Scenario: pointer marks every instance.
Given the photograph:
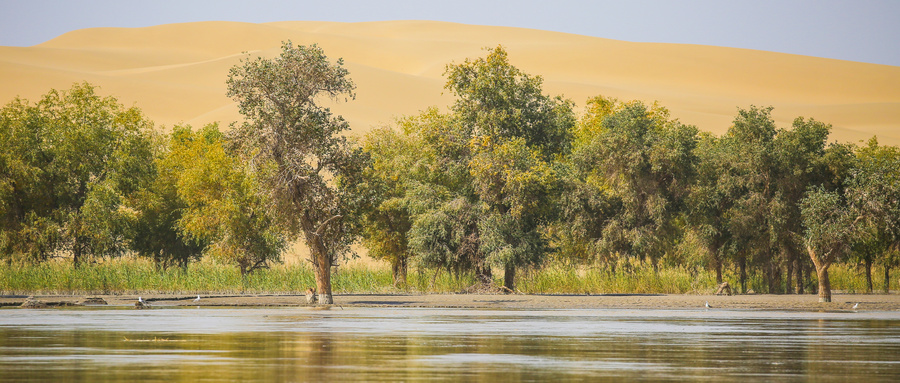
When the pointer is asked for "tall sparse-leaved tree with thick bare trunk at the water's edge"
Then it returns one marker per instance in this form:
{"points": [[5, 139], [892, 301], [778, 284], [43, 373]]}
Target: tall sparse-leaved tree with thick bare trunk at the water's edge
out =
{"points": [[286, 129]]}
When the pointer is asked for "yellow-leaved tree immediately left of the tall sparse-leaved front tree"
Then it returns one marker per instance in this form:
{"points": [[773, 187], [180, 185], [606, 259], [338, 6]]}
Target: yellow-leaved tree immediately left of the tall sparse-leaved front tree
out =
{"points": [[224, 204]]}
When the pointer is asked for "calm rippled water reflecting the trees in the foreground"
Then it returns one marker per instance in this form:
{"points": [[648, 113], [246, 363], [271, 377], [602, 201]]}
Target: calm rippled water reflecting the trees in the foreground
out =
{"points": [[96, 345]]}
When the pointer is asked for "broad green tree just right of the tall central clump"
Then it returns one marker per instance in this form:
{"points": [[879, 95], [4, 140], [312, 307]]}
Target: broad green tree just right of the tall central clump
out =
{"points": [[646, 161]]}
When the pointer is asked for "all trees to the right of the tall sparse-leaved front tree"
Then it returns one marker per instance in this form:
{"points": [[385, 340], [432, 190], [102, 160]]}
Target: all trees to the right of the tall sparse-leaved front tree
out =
{"points": [[509, 177]]}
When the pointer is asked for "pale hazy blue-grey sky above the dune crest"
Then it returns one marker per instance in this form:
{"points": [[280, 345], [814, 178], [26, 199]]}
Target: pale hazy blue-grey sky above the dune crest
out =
{"points": [[858, 30]]}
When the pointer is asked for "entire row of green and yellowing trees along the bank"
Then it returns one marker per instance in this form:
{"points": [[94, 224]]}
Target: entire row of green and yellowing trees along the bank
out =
{"points": [[507, 178]]}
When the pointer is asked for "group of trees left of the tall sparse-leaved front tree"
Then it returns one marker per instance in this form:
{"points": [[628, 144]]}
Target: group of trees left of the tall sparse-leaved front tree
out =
{"points": [[84, 177]]}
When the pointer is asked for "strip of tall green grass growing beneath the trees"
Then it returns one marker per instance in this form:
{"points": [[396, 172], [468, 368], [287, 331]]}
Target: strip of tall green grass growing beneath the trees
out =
{"points": [[136, 276]]}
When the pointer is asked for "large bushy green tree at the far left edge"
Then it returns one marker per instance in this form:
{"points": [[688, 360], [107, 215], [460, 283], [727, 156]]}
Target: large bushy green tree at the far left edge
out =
{"points": [[74, 160]]}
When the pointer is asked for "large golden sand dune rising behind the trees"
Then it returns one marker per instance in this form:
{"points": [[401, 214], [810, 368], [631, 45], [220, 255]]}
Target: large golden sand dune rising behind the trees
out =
{"points": [[176, 73]]}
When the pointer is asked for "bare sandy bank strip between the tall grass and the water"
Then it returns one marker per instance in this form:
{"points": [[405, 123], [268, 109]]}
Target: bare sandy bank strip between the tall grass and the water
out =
{"points": [[806, 302]]}
